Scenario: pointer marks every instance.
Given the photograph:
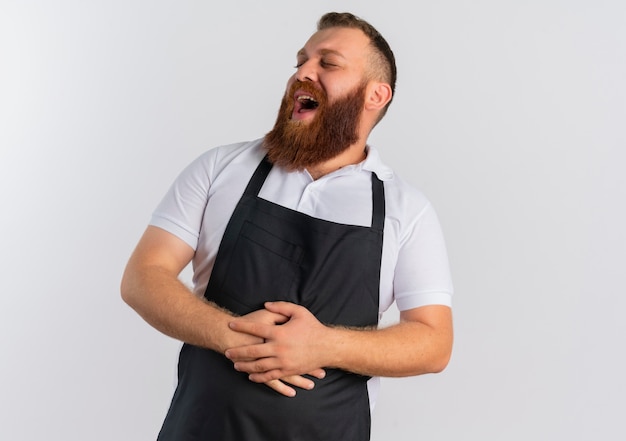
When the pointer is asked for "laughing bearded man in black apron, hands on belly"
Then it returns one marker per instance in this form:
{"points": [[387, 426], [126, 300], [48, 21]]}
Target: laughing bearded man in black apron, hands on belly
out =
{"points": [[291, 271]]}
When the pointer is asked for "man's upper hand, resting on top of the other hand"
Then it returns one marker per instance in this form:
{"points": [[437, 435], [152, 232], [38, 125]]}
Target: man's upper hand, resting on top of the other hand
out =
{"points": [[295, 347]]}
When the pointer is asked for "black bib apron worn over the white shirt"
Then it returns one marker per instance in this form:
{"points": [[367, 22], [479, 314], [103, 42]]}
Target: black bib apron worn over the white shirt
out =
{"points": [[272, 253]]}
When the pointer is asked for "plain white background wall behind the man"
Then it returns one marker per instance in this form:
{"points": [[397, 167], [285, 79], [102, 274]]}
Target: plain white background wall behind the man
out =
{"points": [[509, 115]]}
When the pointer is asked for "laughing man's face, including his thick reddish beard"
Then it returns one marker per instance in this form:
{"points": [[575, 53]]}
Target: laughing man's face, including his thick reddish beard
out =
{"points": [[321, 111]]}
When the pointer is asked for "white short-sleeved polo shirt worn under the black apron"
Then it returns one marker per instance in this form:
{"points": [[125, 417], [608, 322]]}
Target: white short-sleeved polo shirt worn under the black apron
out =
{"points": [[414, 269]]}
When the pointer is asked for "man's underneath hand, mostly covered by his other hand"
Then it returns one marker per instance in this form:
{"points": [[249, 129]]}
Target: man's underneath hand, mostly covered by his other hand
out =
{"points": [[266, 317]]}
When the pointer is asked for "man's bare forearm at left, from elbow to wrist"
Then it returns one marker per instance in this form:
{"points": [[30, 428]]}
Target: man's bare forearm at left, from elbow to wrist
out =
{"points": [[170, 307]]}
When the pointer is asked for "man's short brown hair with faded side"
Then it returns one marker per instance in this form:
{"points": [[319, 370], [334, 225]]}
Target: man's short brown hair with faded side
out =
{"points": [[384, 60]]}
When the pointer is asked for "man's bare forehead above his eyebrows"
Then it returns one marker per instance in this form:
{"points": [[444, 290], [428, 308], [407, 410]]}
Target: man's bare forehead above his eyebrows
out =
{"points": [[349, 43]]}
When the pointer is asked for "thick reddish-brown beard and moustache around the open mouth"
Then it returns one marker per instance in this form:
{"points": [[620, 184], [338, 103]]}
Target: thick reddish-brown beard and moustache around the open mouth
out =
{"points": [[296, 145]]}
